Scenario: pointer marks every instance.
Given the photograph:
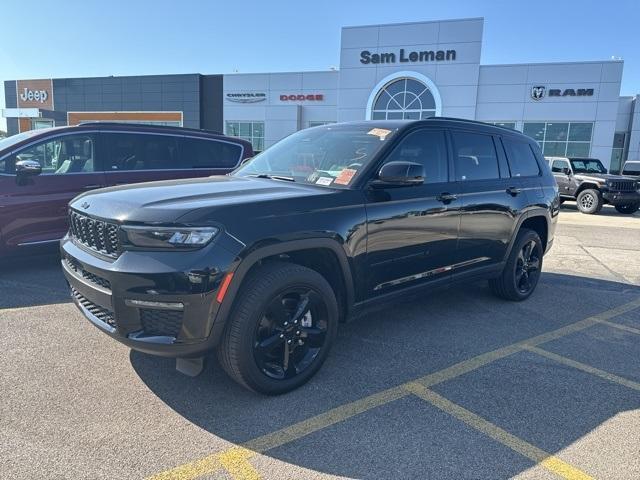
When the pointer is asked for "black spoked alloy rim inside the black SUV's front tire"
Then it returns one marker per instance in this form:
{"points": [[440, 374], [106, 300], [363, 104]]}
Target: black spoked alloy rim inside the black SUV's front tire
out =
{"points": [[291, 333]]}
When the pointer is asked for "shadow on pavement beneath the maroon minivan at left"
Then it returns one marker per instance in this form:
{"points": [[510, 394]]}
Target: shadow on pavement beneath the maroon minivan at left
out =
{"points": [[32, 280]]}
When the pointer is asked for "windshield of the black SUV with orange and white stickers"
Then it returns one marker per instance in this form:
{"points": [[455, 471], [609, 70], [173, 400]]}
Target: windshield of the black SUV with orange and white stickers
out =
{"points": [[327, 156]]}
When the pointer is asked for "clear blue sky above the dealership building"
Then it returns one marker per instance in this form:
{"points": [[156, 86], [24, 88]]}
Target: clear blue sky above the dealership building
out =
{"points": [[71, 38]]}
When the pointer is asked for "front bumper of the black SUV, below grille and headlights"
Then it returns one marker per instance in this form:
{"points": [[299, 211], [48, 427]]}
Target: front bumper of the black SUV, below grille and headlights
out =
{"points": [[162, 303]]}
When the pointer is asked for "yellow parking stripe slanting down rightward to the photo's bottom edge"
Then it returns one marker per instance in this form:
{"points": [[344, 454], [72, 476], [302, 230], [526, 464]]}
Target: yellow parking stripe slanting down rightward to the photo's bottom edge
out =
{"points": [[507, 439]]}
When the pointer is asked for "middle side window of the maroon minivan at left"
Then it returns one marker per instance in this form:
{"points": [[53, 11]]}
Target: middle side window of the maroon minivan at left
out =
{"points": [[133, 151]]}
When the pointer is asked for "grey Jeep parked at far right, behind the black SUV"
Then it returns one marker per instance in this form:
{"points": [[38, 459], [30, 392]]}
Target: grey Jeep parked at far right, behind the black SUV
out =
{"points": [[586, 181]]}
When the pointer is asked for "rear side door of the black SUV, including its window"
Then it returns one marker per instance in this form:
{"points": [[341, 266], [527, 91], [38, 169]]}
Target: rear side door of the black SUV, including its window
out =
{"points": [[491, 201]]}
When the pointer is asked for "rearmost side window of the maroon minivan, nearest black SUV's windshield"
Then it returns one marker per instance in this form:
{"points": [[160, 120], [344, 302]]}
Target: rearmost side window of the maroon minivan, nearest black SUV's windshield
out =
{"points": [[200, 153]]}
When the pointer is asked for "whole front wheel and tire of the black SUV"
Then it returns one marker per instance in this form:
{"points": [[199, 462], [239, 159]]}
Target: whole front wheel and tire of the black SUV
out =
{"points": [[281, 328]]}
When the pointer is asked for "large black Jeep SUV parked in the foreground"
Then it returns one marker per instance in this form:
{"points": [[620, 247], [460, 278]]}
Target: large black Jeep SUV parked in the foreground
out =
{"points": [[261, 265]]}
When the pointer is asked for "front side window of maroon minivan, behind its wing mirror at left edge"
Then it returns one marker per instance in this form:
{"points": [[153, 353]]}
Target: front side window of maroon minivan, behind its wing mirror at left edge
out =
{"points": [[61, 155]]}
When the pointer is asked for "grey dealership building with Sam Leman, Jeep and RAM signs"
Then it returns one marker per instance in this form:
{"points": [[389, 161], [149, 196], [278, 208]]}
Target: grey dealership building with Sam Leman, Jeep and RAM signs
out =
{"points": [[398, 71]]}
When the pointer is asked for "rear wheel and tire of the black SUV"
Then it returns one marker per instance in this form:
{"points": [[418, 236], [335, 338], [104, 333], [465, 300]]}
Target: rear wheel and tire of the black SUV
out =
{"points": [[522, 270]]}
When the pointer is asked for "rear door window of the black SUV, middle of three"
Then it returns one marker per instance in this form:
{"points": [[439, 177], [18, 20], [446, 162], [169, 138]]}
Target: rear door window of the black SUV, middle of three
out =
{"points": [[475, 156]]}
